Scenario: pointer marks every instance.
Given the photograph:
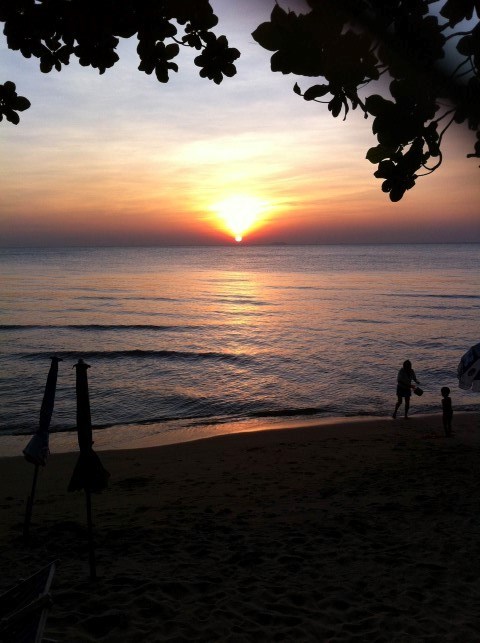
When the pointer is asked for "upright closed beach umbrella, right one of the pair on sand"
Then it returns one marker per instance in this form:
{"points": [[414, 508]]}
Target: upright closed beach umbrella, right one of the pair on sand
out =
{"points": [[89, 473]]}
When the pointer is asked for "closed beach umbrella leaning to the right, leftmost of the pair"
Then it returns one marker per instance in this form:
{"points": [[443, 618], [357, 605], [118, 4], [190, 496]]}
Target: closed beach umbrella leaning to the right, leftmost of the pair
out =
{"points": [[37, 450]]}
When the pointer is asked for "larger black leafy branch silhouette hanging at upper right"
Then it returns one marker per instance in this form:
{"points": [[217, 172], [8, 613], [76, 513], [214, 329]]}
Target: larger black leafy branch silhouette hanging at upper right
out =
{"points": [[399, 45]]}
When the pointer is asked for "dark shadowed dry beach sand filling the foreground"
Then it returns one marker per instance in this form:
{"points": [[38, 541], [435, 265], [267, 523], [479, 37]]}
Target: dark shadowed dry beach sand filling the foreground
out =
{"points": [[362, 531]]}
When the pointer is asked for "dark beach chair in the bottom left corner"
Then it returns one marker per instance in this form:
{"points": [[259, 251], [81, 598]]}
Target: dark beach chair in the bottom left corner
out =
{"points": [[24, 608]]}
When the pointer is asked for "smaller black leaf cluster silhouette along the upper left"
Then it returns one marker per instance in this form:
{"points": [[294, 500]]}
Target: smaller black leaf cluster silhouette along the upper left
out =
{"points": [[55, 30]]}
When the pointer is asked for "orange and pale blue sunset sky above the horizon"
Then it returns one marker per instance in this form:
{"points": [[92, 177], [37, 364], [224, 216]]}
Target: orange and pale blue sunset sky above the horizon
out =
{"points": [[121, 159]]}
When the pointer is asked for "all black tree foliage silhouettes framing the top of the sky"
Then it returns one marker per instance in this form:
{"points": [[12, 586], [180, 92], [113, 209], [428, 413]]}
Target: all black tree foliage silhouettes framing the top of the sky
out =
{"points": [[398, 46]]}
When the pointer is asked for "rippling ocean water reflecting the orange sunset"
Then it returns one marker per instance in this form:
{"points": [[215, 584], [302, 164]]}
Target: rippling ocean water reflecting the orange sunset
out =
{"points": [[186, 336]]}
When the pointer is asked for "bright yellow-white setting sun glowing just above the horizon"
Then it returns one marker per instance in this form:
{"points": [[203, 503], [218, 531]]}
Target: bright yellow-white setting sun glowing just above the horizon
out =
{"points": [[239, 214]]}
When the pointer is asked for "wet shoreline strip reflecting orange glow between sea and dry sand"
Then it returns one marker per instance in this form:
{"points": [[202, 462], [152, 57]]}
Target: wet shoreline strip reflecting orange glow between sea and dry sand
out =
{"points": [[125, 437]]}
